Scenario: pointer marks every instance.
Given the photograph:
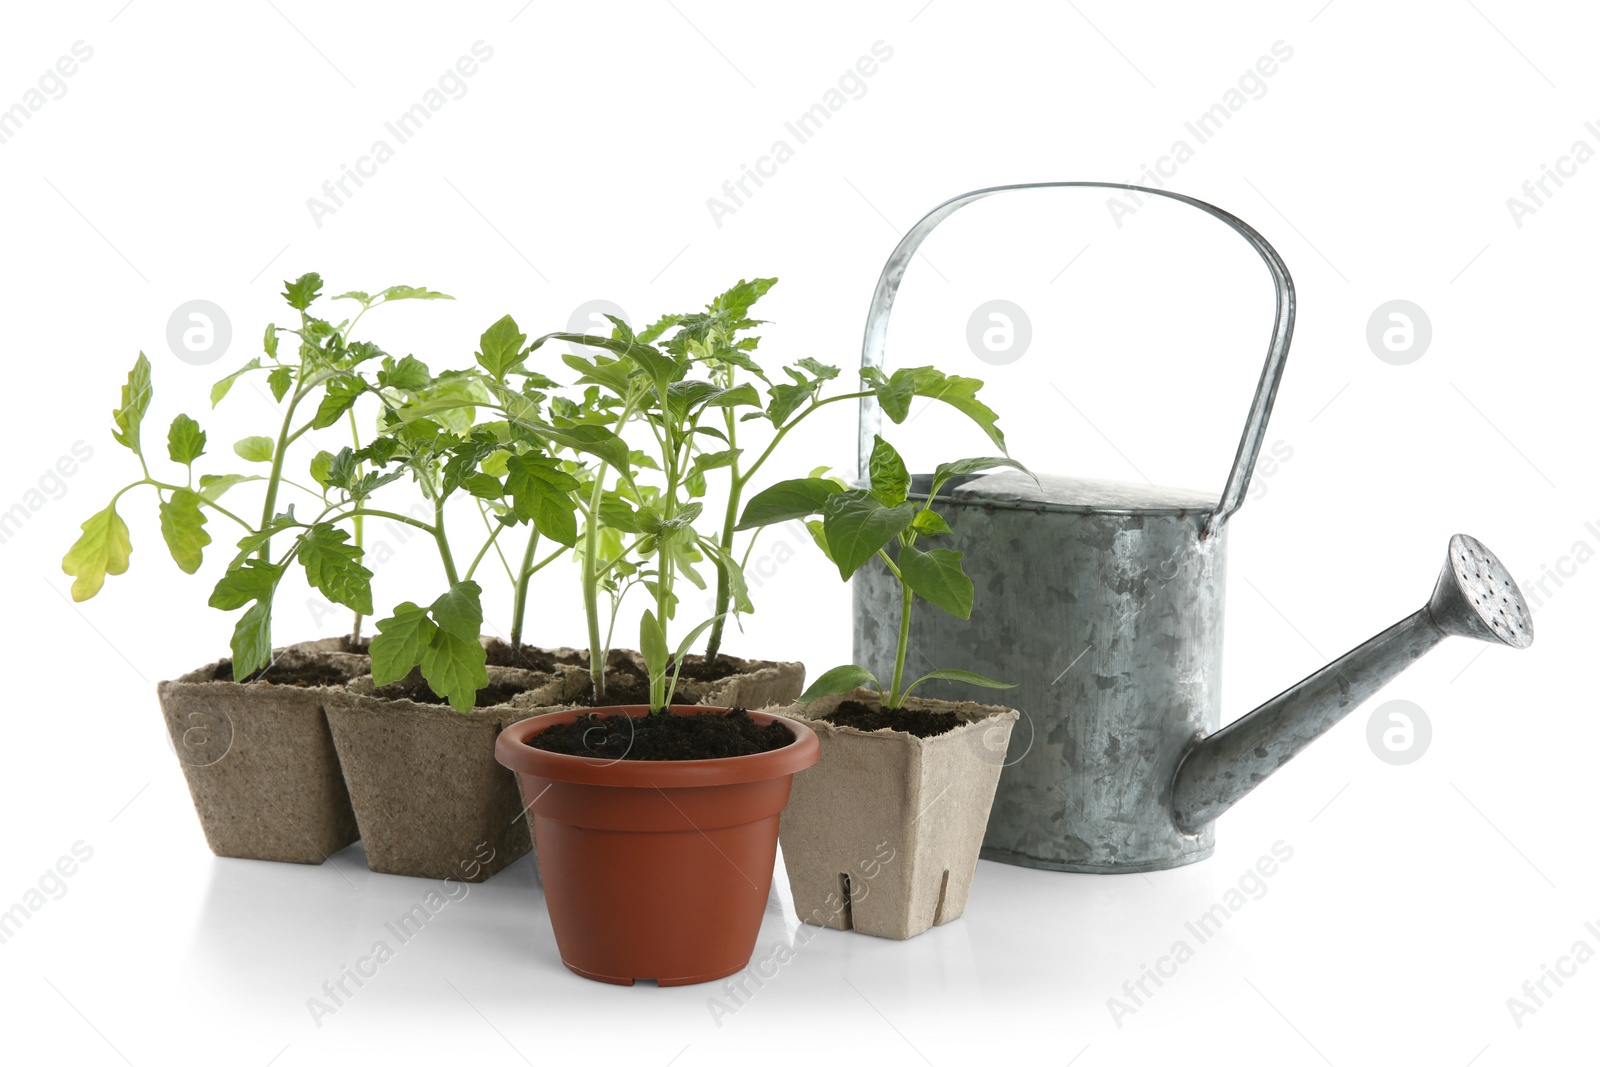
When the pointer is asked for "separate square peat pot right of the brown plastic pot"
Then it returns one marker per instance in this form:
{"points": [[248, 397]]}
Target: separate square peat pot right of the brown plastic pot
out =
{"points": [[882, 836]]}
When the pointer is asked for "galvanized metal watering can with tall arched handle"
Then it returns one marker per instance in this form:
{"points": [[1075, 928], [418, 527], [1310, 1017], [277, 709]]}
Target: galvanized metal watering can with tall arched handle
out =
{"points": [[1119, 764]]}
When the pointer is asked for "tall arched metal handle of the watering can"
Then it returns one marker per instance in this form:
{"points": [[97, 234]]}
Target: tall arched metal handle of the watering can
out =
{"points": [[1266, 390]]}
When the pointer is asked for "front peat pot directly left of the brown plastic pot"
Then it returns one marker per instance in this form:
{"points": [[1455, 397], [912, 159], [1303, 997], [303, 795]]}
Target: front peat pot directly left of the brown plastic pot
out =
{"points": [[428, 794]]}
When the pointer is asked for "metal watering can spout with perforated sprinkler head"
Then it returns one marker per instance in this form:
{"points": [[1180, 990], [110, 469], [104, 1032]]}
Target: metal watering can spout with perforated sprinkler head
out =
{"points": [[1476, 597]]}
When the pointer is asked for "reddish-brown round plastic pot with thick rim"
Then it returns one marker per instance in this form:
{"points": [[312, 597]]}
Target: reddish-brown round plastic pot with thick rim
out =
{"points": [[655, 869]]}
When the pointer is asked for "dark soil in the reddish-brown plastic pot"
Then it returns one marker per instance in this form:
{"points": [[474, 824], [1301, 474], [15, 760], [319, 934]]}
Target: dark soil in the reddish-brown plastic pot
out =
{"points": [[706, 737]]}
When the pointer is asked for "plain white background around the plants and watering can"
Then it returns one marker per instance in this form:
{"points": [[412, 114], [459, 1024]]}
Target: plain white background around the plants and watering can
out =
{"points": [[578, 166]]}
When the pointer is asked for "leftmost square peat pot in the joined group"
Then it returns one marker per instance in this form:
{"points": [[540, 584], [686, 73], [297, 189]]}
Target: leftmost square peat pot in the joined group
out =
{"points": [[258, 756]]}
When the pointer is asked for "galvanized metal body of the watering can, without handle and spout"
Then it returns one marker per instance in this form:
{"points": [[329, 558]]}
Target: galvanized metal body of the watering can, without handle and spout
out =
{"points": [[1103, 602]]}
